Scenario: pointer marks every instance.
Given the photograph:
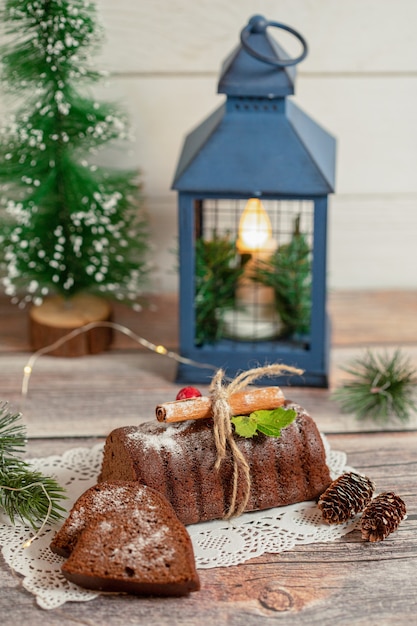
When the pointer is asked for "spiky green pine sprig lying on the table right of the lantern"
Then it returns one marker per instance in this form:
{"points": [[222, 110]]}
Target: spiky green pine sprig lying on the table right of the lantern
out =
{"points": [[380, 386]]}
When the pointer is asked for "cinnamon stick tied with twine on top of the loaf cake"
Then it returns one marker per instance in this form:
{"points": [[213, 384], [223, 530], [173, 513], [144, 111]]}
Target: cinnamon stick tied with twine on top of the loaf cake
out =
{"points": [[241, 403]]}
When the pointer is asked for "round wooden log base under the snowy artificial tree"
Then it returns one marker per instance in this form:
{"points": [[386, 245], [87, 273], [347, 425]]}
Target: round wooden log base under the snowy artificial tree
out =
{"points": [[56, 317]]}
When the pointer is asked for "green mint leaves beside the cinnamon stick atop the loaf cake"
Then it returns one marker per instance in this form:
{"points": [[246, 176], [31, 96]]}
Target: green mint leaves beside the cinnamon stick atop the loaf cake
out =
{"points": [[269, 423]]}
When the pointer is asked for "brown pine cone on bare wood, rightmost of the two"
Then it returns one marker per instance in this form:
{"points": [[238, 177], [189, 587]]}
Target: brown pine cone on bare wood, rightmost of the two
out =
{"points": [[382, 516]]}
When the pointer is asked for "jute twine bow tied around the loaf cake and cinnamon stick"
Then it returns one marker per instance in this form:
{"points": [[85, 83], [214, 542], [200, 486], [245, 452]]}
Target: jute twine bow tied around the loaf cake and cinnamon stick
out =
{"points": [[223, 430]]}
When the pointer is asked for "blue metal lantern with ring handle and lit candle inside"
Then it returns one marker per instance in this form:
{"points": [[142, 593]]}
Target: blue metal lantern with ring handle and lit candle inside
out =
{"points": [[253, 182]]}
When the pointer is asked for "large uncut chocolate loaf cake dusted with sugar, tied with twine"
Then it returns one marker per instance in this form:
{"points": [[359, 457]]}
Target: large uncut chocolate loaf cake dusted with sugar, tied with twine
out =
{"points": [[178, 460]]}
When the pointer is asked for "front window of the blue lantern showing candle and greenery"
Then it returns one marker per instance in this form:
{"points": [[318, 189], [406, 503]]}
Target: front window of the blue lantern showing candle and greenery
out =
{"points": [[253, 286]]}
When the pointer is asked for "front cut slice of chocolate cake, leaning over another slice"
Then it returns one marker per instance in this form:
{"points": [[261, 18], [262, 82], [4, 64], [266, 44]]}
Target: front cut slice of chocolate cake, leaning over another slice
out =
{"points": [[144, 551]]}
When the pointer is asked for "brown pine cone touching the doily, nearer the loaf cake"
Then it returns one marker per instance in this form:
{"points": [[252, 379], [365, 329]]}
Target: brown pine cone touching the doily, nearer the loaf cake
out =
{"points": [[345, 497]]}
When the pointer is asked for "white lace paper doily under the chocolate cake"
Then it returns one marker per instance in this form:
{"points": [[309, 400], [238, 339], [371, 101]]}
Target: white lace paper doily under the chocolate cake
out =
{"points": [[216, 544]]}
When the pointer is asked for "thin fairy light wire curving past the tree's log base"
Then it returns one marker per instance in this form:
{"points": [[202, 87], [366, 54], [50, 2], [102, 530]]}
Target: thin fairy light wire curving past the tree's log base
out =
{"points": [[149, 345]]}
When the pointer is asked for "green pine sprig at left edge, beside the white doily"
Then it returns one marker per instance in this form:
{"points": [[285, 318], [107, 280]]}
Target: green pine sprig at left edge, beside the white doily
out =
{"points": [[25, 493]]}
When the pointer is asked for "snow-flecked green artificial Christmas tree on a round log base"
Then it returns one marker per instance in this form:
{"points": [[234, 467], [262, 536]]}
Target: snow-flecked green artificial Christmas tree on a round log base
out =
{"points": [[70, 228]]}
